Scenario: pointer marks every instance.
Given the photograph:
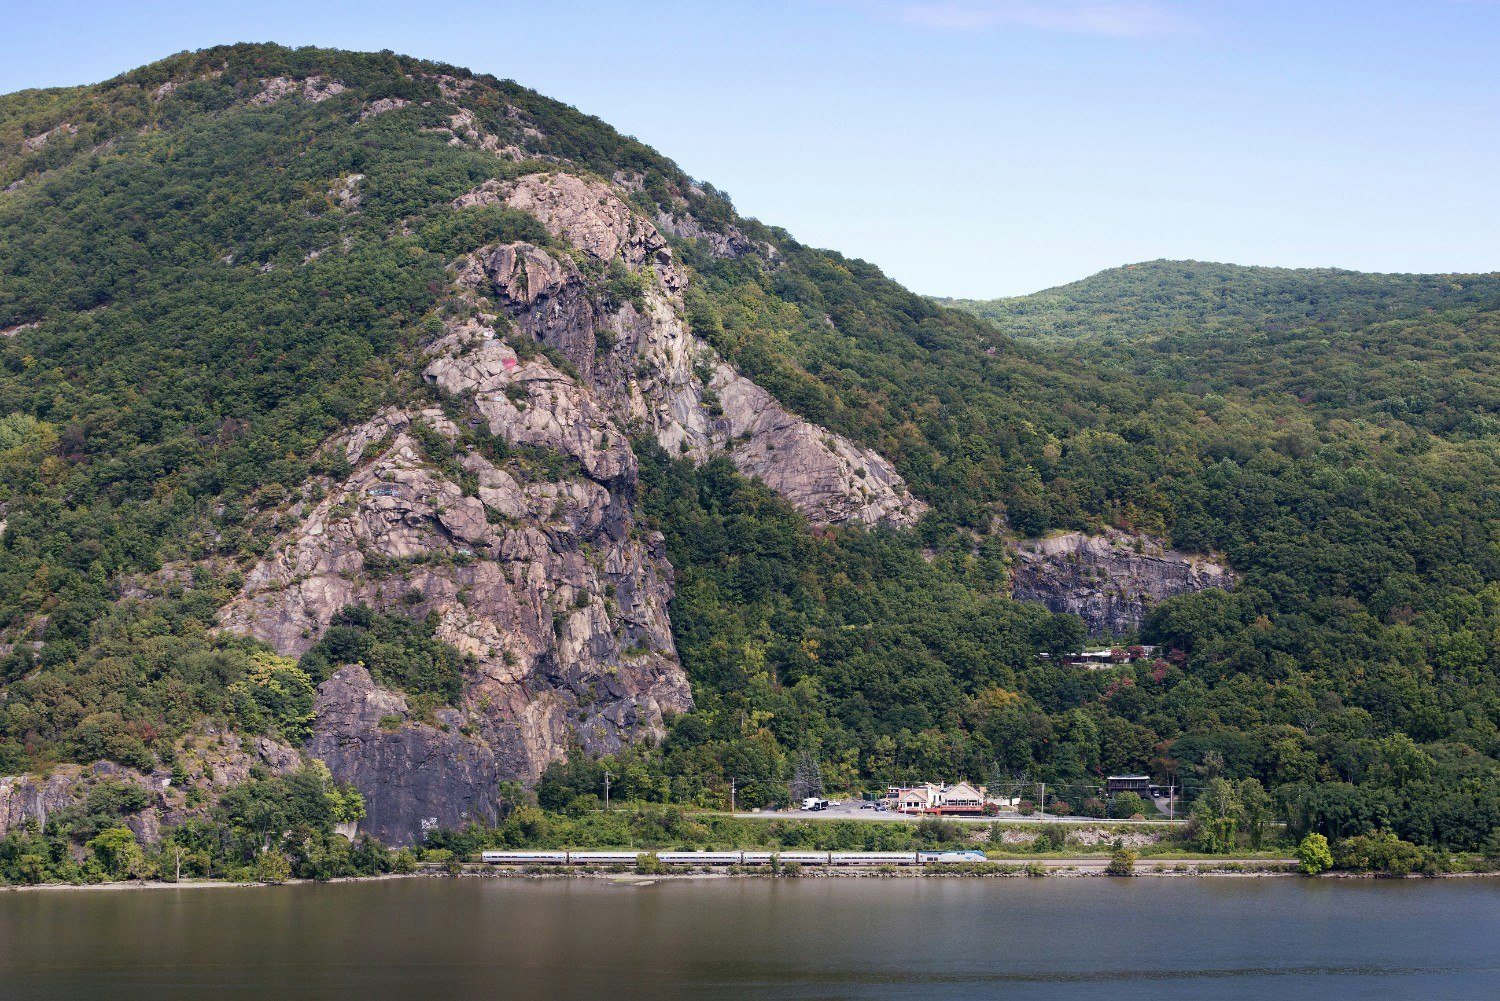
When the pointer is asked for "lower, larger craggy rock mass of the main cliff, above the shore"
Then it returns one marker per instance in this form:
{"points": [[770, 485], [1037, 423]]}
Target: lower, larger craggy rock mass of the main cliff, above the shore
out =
{"points": [[544, 583]]}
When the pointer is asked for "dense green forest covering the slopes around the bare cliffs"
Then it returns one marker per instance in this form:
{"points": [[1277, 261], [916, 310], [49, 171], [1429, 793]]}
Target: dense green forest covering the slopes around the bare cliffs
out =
{"points": [[179, 341]]}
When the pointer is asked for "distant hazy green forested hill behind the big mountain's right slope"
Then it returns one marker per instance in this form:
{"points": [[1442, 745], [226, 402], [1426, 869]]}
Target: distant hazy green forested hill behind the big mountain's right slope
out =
{"points": [[1420, 349]]}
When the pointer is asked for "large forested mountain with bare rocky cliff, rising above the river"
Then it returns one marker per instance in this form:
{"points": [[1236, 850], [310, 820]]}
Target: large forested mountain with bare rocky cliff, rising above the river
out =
{"points": [[367, 412]]}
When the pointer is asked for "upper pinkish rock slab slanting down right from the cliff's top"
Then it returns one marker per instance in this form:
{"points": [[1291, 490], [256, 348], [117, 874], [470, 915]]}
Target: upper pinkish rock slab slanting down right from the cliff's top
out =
{"points": [[656, 373]]}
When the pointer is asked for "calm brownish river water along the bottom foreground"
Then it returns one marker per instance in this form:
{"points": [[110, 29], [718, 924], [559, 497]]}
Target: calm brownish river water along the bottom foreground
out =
{"points": [[1154, 939]]}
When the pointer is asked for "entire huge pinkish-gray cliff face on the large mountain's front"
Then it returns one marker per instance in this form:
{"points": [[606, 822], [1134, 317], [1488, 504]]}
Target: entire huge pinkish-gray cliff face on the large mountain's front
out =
{"points": [[508, 514]]}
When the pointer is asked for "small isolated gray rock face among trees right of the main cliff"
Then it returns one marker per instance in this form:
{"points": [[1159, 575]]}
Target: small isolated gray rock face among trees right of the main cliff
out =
{"points": [[1109, 582]]}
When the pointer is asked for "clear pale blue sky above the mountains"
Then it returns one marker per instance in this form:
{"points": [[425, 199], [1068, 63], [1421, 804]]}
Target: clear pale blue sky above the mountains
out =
{"points": [[970, 148]]}
